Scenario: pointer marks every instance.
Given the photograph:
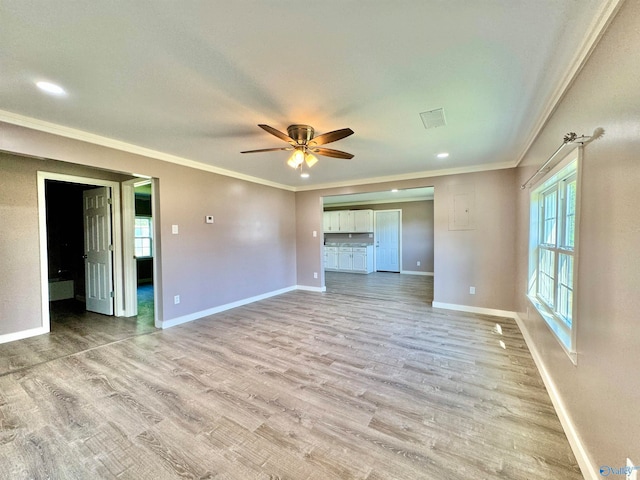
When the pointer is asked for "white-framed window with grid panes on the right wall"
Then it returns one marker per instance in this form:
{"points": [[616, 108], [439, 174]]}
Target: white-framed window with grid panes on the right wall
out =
{"points": [[552, 251]]}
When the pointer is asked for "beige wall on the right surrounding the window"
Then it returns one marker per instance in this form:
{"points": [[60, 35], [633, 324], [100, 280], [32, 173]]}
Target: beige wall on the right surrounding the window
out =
{"points": [[601, 394]]}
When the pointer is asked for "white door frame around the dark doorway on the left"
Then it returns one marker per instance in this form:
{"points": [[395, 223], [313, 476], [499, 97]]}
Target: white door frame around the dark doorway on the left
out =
{"points": [[116, 232]]}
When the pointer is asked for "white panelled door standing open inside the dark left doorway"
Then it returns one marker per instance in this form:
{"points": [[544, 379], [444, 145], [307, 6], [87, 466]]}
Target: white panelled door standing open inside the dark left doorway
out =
{"points": [[98, 250]]}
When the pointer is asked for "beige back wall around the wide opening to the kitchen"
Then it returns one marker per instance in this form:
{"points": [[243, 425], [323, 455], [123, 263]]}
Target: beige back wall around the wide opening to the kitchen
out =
{"points": [[482, 257]]}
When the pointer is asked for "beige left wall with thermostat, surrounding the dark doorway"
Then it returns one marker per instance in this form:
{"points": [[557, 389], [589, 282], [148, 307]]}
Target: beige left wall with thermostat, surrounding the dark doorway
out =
{"points": [[249, 251]]}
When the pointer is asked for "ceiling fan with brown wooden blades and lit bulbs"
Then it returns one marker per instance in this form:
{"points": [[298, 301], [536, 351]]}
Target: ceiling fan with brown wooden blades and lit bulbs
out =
{"points": [[304, 145]]}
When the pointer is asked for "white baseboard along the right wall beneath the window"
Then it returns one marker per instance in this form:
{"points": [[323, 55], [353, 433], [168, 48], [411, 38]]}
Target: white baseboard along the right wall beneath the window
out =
{"points": [[579, 450]]}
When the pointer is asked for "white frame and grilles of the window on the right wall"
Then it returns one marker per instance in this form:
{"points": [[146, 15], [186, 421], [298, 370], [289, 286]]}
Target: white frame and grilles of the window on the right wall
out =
{"points": [[556, 182]]}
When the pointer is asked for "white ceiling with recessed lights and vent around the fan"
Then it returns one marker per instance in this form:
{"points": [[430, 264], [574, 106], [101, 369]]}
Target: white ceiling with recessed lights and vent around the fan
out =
{"points": [[192, 79]]}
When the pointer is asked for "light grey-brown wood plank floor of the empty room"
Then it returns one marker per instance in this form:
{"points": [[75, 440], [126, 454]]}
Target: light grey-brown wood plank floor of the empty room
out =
{"points": [[299, 386]]}
